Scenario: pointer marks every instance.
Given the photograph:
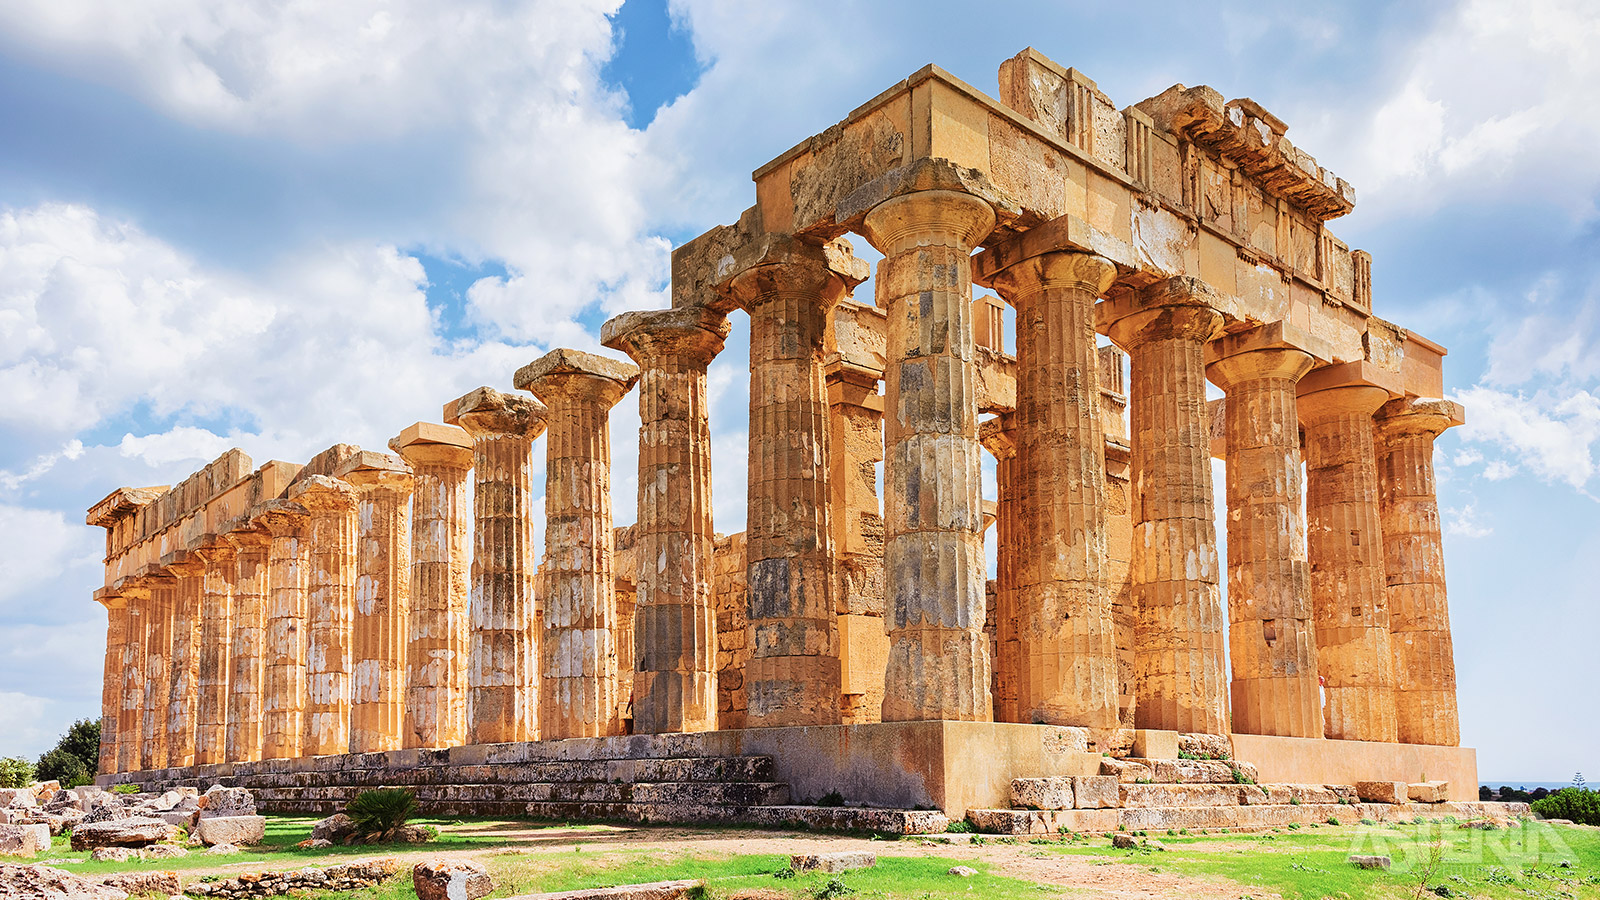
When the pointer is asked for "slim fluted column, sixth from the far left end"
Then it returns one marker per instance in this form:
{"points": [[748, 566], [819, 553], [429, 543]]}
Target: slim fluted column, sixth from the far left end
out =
{"points": [[247, 662]]}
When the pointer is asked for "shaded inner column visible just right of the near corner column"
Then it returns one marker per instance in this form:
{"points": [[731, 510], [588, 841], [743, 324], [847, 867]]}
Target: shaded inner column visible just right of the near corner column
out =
{"points": [[999, 436]]}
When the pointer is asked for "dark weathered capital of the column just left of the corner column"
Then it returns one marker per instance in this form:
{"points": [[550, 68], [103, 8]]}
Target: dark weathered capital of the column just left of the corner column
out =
{"points": [[782, 263]]}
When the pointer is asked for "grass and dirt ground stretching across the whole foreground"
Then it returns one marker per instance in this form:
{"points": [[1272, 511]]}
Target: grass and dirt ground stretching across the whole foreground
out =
{"points": [[1535, 862]]}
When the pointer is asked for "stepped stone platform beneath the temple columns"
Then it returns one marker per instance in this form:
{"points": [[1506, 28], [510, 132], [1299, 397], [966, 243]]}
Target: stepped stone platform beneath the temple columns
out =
{"points": [[897, 771]]}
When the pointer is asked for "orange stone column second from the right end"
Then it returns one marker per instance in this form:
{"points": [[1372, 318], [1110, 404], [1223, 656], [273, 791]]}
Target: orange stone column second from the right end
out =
{"points": [[1346, 552]]}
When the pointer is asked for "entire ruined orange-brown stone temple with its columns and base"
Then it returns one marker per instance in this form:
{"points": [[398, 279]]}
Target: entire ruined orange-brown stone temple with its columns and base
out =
{"points": [[385, 619]]}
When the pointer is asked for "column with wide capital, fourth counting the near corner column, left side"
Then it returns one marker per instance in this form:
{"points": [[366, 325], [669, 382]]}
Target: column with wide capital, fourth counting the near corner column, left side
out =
{"points": [[578, 651]]}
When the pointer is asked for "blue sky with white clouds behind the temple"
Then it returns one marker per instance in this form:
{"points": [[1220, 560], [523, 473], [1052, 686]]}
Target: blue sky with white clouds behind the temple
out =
{"points": [[279, 228]]}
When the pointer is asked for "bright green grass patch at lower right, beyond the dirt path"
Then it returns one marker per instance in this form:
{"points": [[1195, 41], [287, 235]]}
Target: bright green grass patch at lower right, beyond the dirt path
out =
{"points": [[1505, 864]]}
